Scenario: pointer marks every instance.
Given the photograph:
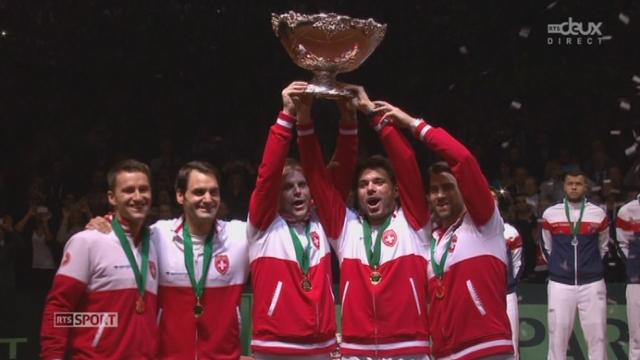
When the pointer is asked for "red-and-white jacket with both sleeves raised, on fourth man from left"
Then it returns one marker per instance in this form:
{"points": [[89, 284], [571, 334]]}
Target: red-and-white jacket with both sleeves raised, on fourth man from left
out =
{"points": [[390, 318]]}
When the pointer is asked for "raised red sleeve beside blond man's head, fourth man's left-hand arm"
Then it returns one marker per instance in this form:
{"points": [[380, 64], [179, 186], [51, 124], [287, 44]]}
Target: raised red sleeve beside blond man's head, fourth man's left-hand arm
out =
{"points": [[330, 205]]}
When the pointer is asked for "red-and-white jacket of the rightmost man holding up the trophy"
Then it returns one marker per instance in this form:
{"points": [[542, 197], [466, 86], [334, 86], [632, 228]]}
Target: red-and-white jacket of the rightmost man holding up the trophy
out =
{"points": [[471, 320]]}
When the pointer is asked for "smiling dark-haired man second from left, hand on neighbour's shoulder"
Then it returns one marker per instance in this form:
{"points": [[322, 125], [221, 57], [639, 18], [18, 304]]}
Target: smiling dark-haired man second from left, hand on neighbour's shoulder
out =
{"points": [[203, 266]]}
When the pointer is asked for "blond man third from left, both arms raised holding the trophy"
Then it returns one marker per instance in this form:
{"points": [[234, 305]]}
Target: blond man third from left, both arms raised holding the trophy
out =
{"points": [[293, 304]]}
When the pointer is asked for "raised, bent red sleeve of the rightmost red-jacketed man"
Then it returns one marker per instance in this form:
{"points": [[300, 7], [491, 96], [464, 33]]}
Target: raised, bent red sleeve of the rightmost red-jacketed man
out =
{"points": [[471, 181]]}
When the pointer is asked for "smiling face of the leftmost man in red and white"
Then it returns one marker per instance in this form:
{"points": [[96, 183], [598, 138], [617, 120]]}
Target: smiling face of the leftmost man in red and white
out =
{"points": [[131, 196]]}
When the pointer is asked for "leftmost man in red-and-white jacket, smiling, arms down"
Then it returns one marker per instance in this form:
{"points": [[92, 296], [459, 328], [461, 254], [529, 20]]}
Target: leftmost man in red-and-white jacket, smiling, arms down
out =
{"points": [[112, 274]]}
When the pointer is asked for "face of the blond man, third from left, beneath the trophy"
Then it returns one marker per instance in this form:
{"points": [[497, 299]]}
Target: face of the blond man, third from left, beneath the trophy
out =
{"points": [[295, 196]]}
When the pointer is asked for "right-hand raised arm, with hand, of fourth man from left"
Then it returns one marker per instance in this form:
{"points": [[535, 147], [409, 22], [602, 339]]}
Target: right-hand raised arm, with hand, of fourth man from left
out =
{"points": [[402, 158]]}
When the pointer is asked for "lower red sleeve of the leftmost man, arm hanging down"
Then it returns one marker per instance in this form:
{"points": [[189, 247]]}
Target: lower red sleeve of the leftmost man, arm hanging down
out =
{"points": [[64, 296]]}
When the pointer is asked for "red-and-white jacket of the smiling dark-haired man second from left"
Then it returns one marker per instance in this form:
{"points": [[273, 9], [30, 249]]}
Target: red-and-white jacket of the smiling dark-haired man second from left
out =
{"points": [[216, 333]]}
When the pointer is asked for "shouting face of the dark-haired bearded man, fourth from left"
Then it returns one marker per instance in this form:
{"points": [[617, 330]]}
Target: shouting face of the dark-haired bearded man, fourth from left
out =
{"points": [[376, 195]]}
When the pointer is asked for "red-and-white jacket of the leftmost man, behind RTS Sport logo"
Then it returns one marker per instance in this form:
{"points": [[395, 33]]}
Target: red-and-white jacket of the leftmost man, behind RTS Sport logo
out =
{"points": [[95, 276]]}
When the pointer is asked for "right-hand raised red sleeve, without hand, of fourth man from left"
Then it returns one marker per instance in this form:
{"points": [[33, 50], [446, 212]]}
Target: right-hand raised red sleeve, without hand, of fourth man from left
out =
{"points": [[405, 166]]}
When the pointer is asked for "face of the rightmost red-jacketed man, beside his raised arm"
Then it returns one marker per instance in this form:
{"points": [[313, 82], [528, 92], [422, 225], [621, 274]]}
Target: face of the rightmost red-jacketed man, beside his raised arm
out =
{"points": [[445, 197]]}
